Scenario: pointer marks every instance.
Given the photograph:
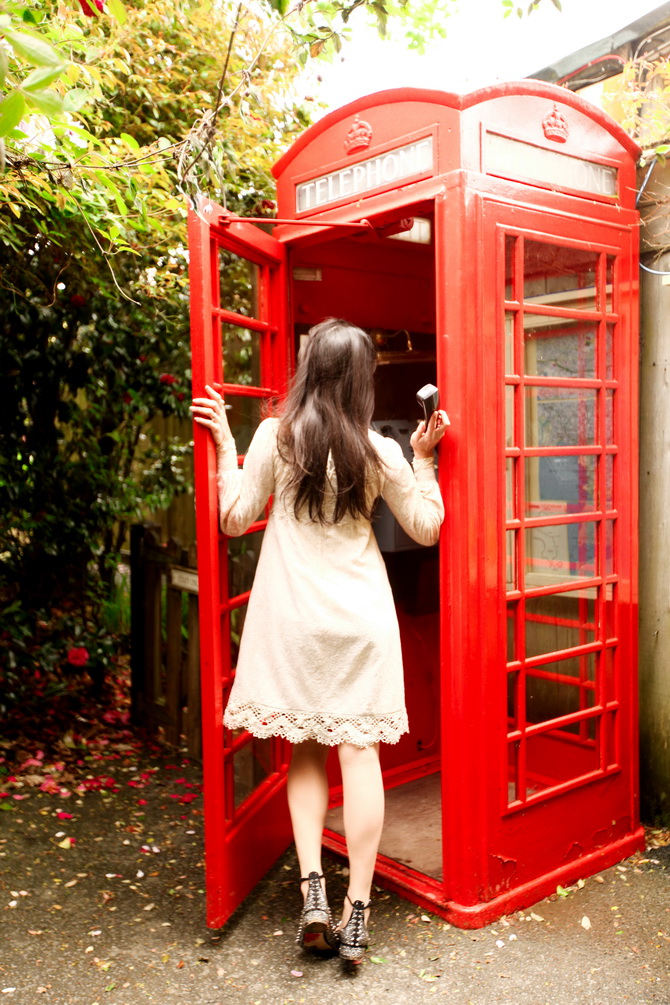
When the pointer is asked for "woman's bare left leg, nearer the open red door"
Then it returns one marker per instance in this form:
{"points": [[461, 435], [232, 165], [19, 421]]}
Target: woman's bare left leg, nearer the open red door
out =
{"points": [[308, 803]]}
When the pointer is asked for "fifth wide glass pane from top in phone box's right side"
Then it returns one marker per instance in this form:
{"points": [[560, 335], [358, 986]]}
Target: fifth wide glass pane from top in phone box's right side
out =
{"points": [[563, 553]]}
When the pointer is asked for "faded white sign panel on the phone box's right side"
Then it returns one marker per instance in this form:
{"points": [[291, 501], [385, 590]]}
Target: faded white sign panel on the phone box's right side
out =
{"points": [[515, 159]]}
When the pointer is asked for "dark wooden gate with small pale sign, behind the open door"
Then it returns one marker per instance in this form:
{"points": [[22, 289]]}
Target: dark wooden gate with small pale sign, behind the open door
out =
{"points": [[165, 680]]}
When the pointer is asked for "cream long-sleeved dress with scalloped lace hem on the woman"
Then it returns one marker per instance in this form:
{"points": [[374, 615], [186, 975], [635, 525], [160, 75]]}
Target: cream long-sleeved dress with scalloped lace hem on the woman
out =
{"points": [[320, 656]]}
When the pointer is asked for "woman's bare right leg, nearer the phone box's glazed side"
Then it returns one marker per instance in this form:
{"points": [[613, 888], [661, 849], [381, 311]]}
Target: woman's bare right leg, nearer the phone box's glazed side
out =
{"points": [[364, 818]]}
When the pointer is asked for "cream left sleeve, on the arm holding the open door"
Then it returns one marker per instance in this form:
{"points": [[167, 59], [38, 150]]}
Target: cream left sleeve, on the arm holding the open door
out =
{"points": [[245, 494]]}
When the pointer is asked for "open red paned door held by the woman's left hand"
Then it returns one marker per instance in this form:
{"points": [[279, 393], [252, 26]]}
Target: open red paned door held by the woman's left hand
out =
{"points": [[239, 341]]}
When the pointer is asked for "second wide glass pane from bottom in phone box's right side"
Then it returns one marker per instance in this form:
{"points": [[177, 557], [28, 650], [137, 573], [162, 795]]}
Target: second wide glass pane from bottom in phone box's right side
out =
{"points": [[558, 692]]}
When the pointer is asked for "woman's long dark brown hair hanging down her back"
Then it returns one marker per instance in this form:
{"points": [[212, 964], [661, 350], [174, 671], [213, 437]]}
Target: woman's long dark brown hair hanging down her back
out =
{"points": [[328, 413]]}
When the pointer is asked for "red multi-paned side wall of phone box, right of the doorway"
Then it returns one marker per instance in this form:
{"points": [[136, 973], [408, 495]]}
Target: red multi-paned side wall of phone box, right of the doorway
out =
{"points": [[564, 315]]}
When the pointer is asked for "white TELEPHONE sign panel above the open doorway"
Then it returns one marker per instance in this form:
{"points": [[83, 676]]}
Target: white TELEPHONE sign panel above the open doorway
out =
{"points": [[396, 165]]}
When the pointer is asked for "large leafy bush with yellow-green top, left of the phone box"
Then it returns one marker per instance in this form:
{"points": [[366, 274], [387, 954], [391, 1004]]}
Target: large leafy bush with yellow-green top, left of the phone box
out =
{"points": [[94, 294]]}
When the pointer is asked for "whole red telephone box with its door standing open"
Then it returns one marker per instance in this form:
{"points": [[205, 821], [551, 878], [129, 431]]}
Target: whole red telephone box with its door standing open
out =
{"points": [[574, 802]]}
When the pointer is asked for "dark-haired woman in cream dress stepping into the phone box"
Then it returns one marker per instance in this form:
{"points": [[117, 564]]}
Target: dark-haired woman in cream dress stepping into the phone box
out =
{"points": [[320, 660]]}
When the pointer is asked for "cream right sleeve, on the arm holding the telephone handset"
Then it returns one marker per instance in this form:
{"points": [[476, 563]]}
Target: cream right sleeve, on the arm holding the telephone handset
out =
{"points": [[413, 496]]}
